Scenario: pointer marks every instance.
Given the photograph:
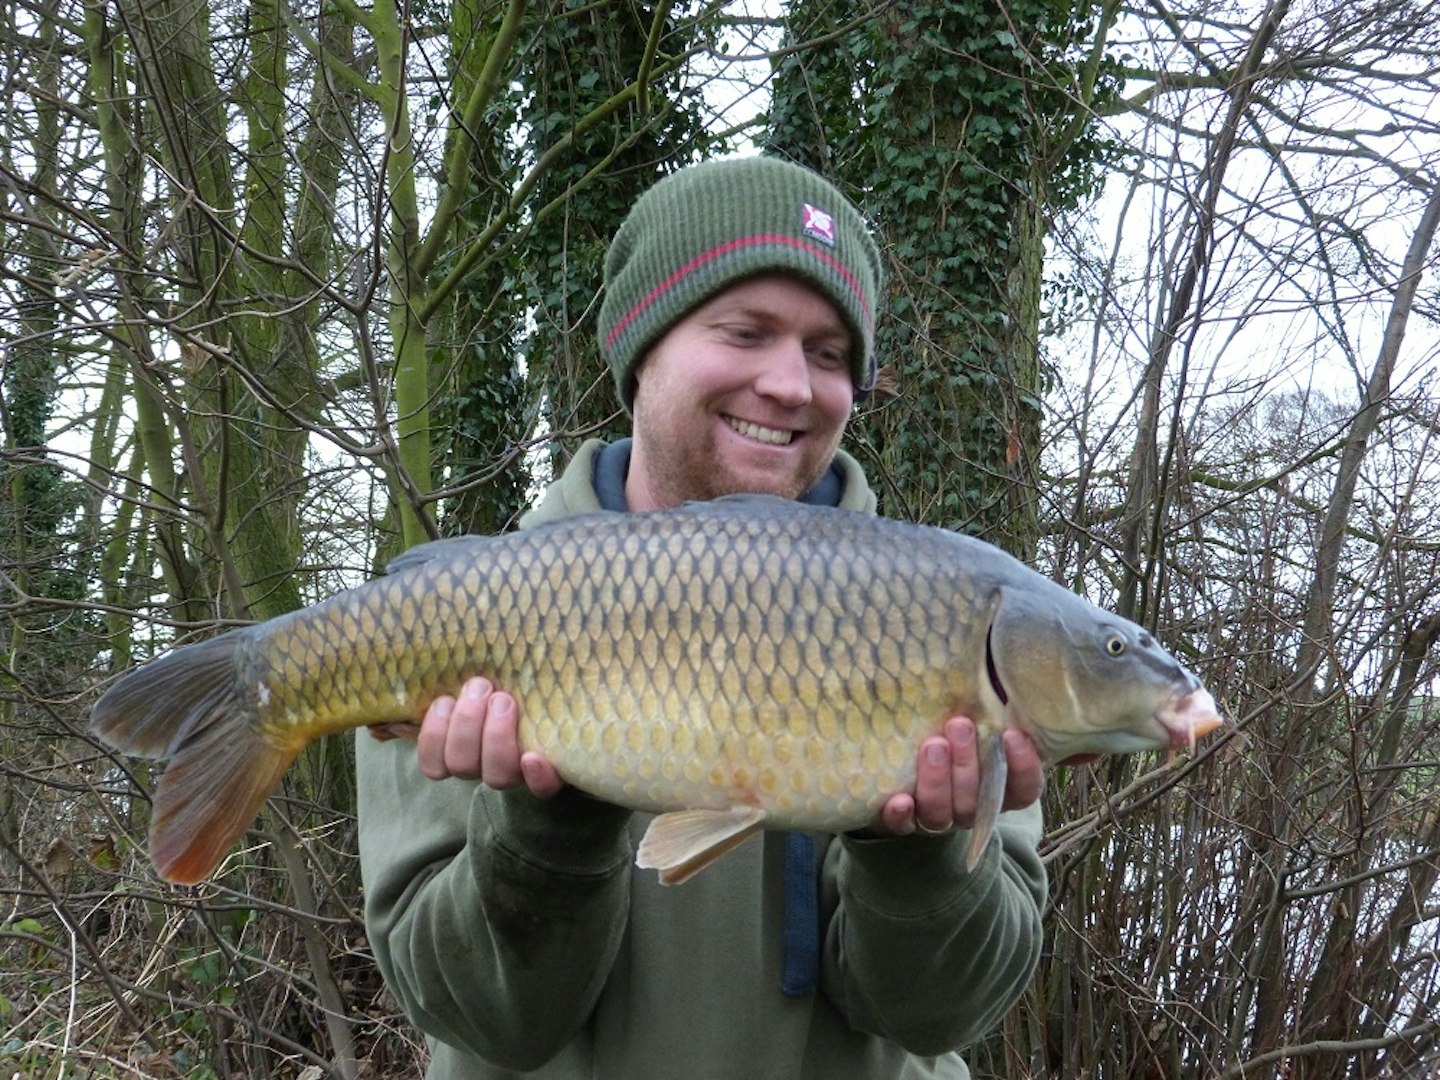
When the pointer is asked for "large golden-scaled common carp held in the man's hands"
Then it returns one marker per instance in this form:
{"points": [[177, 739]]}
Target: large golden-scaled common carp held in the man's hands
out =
{"points": [[731, 666]]}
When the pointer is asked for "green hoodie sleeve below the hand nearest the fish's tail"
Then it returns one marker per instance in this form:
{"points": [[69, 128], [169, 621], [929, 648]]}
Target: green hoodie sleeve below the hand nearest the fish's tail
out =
{"points": [[495, 917]]}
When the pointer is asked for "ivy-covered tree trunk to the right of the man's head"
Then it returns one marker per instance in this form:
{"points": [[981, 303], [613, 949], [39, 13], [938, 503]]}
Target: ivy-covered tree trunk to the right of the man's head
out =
{"points": [[967, 136]]}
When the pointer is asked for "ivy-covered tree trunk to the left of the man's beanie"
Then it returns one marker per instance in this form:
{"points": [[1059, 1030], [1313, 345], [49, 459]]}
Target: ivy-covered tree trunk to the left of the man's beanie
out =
{"points": [[516, 346]]}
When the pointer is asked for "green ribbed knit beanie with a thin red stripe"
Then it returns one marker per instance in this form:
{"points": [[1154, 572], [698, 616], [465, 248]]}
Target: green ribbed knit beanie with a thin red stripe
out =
{"points": [[711, 225]]}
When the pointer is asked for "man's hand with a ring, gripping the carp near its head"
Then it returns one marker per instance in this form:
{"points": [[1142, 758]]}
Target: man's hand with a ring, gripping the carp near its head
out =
{"points": [[948, 780]]}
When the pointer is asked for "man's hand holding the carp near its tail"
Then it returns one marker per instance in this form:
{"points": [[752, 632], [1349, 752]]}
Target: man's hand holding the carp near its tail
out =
{"points": [[476, 738]]}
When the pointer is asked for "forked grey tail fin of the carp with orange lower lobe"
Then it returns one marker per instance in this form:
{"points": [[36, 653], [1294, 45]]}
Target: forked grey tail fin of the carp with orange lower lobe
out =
{"points": [[192, 708]]}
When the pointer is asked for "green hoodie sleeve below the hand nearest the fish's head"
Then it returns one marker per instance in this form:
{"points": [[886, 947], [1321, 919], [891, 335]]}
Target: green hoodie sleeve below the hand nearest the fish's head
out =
{"points": [[922, 951]]}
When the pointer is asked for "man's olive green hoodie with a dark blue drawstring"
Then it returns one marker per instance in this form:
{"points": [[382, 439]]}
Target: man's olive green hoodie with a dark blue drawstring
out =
{"points": [[519, 937]]}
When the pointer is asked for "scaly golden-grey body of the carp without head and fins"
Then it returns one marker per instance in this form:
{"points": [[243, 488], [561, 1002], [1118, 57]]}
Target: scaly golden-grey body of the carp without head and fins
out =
{"points": [[667, 663]]}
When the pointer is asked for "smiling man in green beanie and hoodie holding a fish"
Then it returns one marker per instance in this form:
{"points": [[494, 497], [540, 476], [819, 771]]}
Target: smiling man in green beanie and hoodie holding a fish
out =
{"points": [[505, 909]]}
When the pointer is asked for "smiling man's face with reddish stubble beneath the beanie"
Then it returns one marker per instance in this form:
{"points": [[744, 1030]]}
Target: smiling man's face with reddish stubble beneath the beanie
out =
{"points": [[748, 394]]}
